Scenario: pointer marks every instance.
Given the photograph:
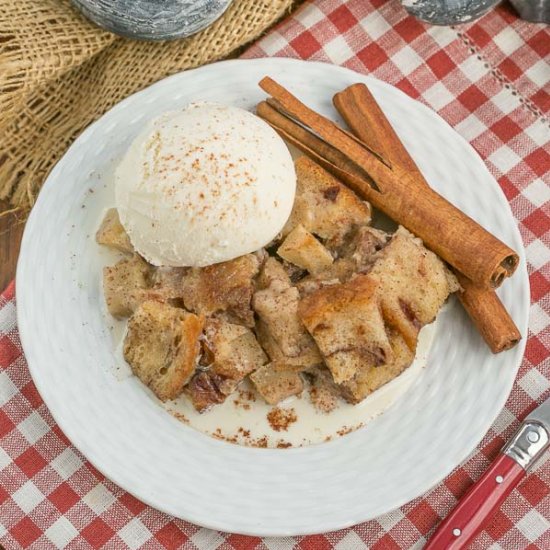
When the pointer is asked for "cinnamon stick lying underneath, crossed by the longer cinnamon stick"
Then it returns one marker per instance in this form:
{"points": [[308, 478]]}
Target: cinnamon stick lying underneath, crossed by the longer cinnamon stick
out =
{"points": [[363, 115]]}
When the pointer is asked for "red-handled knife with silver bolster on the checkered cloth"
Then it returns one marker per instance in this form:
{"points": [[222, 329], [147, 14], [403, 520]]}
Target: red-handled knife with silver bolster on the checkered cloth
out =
{"points": [[486, 496]]}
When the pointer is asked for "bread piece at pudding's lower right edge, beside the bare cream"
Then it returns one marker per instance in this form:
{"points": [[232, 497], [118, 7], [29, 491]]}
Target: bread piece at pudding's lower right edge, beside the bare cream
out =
{"points": [[370, 377]]}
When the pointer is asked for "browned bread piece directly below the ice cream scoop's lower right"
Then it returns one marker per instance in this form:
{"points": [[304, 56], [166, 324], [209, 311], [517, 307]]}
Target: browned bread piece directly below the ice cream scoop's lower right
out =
{"points": [[224, 287]]}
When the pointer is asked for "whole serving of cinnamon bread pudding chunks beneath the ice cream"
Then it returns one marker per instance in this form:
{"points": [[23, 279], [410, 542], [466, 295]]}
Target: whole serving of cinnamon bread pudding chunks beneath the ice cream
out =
{"points": [[332, 305]]}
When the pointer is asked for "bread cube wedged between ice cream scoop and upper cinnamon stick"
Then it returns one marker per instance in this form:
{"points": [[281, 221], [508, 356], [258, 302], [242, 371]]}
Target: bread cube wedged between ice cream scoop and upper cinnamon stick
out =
{"points": [[323, 205]]}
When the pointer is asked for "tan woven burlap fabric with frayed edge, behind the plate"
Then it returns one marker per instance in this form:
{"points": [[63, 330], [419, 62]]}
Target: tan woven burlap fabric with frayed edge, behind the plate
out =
{"points": [[58, 73]]}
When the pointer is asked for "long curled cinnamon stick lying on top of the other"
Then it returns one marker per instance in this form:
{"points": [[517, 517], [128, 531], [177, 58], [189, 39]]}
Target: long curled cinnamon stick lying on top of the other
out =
{"points": [[451, 234]]}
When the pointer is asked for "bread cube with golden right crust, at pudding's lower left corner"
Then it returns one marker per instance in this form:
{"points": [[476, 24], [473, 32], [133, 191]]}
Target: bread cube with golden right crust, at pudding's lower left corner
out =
{"points": [[162, 347]]}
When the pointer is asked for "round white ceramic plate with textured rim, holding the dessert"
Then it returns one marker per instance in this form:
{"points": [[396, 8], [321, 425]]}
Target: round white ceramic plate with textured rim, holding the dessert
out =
{"points": [[170, 466]]}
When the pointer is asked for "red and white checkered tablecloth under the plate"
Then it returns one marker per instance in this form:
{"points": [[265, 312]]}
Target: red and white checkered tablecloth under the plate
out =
{"points": [[490, 81]]}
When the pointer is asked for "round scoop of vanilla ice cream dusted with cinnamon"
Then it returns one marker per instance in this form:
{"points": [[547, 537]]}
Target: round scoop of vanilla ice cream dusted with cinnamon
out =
{"points": [[204, 185]]}
